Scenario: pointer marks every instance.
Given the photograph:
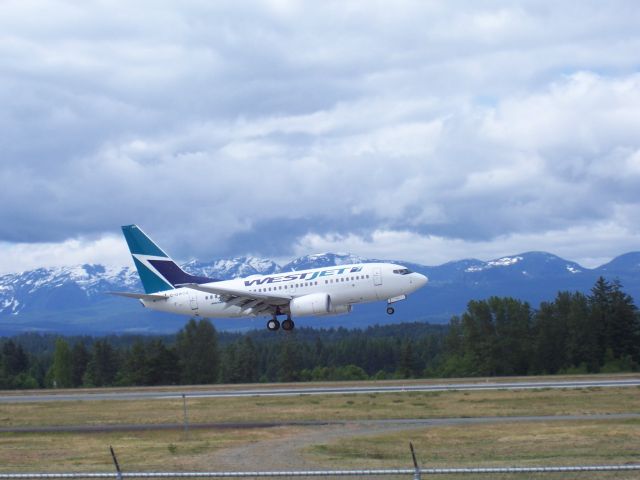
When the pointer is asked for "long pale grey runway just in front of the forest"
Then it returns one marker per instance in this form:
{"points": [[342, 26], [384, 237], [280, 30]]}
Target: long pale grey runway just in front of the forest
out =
{"points": [[332, 390]]}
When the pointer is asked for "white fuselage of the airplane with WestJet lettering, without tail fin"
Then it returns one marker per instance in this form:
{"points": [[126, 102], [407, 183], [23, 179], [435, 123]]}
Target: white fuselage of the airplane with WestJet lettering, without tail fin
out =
{"points": [[345, 284]]}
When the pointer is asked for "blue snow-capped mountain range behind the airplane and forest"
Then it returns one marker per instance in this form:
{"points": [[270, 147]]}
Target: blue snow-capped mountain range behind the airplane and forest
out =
{"points": [[74, 300]]}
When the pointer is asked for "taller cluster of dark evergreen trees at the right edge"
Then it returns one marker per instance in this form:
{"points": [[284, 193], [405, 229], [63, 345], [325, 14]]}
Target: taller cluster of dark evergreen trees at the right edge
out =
{"points": [[575, 333]]}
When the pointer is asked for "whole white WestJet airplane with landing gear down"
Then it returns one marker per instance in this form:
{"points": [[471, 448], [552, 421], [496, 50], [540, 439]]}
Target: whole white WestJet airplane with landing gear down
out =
{"points": [[314, 292]]}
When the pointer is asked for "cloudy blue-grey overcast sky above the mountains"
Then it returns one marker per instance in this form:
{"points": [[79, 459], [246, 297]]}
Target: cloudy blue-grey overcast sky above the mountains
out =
{"points": [[415, 130]]}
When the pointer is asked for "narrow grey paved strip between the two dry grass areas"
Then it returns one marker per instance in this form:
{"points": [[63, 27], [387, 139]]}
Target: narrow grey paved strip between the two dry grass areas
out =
{"points": [[408, 422]]}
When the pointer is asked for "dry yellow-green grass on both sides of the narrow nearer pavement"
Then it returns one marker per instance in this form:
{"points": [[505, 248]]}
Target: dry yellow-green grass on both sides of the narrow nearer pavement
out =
{"points": [[525, 443]]}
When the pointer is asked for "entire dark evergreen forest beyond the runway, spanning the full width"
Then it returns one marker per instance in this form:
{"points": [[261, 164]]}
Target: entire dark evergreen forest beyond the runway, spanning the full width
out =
{"points": [[574, 333]]}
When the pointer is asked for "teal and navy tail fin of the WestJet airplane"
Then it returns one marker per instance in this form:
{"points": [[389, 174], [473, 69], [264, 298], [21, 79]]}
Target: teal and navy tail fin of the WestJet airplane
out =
{"points": [[157, 271]]}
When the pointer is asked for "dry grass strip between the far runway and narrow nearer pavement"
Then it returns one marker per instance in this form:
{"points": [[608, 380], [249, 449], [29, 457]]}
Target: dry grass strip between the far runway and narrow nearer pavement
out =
{"points": [[329, 407]]}
